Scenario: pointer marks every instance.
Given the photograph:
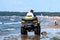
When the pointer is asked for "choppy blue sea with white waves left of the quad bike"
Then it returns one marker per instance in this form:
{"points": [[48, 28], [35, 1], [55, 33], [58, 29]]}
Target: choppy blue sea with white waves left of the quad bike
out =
{"points": [[11, 27]]}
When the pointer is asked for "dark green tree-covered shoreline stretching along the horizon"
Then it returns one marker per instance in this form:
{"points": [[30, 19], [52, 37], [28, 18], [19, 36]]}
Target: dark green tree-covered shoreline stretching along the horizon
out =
{"points": [[24, 13]]}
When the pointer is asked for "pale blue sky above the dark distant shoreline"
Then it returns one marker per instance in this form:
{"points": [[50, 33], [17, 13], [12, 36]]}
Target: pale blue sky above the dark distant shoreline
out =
{"points": [[25, 5]]}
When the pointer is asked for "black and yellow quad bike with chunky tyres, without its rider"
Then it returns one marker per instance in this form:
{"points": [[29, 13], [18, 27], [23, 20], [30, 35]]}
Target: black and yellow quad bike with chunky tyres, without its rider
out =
{"points": [[30, 24]]}
